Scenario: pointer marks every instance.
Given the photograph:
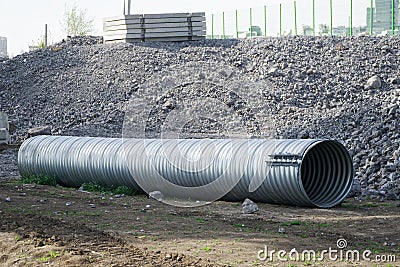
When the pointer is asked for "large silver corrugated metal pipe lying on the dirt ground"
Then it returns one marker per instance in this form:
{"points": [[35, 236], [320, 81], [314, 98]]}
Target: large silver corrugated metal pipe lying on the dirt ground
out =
{"points": [[314, 173]]}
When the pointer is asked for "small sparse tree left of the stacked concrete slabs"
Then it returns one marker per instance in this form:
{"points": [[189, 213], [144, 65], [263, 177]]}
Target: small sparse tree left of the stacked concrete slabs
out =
{"points": [[76, 23]]}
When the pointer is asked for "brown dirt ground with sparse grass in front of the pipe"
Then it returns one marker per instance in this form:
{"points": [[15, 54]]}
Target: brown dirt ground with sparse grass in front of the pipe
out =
{"points": [[56, 226]]}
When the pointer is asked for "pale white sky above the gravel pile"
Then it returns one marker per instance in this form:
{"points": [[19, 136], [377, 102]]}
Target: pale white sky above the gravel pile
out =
{"points": [[23, 21]]}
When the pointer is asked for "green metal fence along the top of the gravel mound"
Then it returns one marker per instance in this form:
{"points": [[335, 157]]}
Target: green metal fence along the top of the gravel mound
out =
{"points": [[308, 17]]}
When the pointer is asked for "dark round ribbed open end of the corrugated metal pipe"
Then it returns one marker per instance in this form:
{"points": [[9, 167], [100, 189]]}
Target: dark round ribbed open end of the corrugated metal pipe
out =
{"points": [[326, 173]]}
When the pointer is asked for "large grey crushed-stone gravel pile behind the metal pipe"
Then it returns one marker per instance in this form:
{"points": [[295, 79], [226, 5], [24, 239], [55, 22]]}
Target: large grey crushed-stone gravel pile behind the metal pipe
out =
{"points": [[314, 87]]}
